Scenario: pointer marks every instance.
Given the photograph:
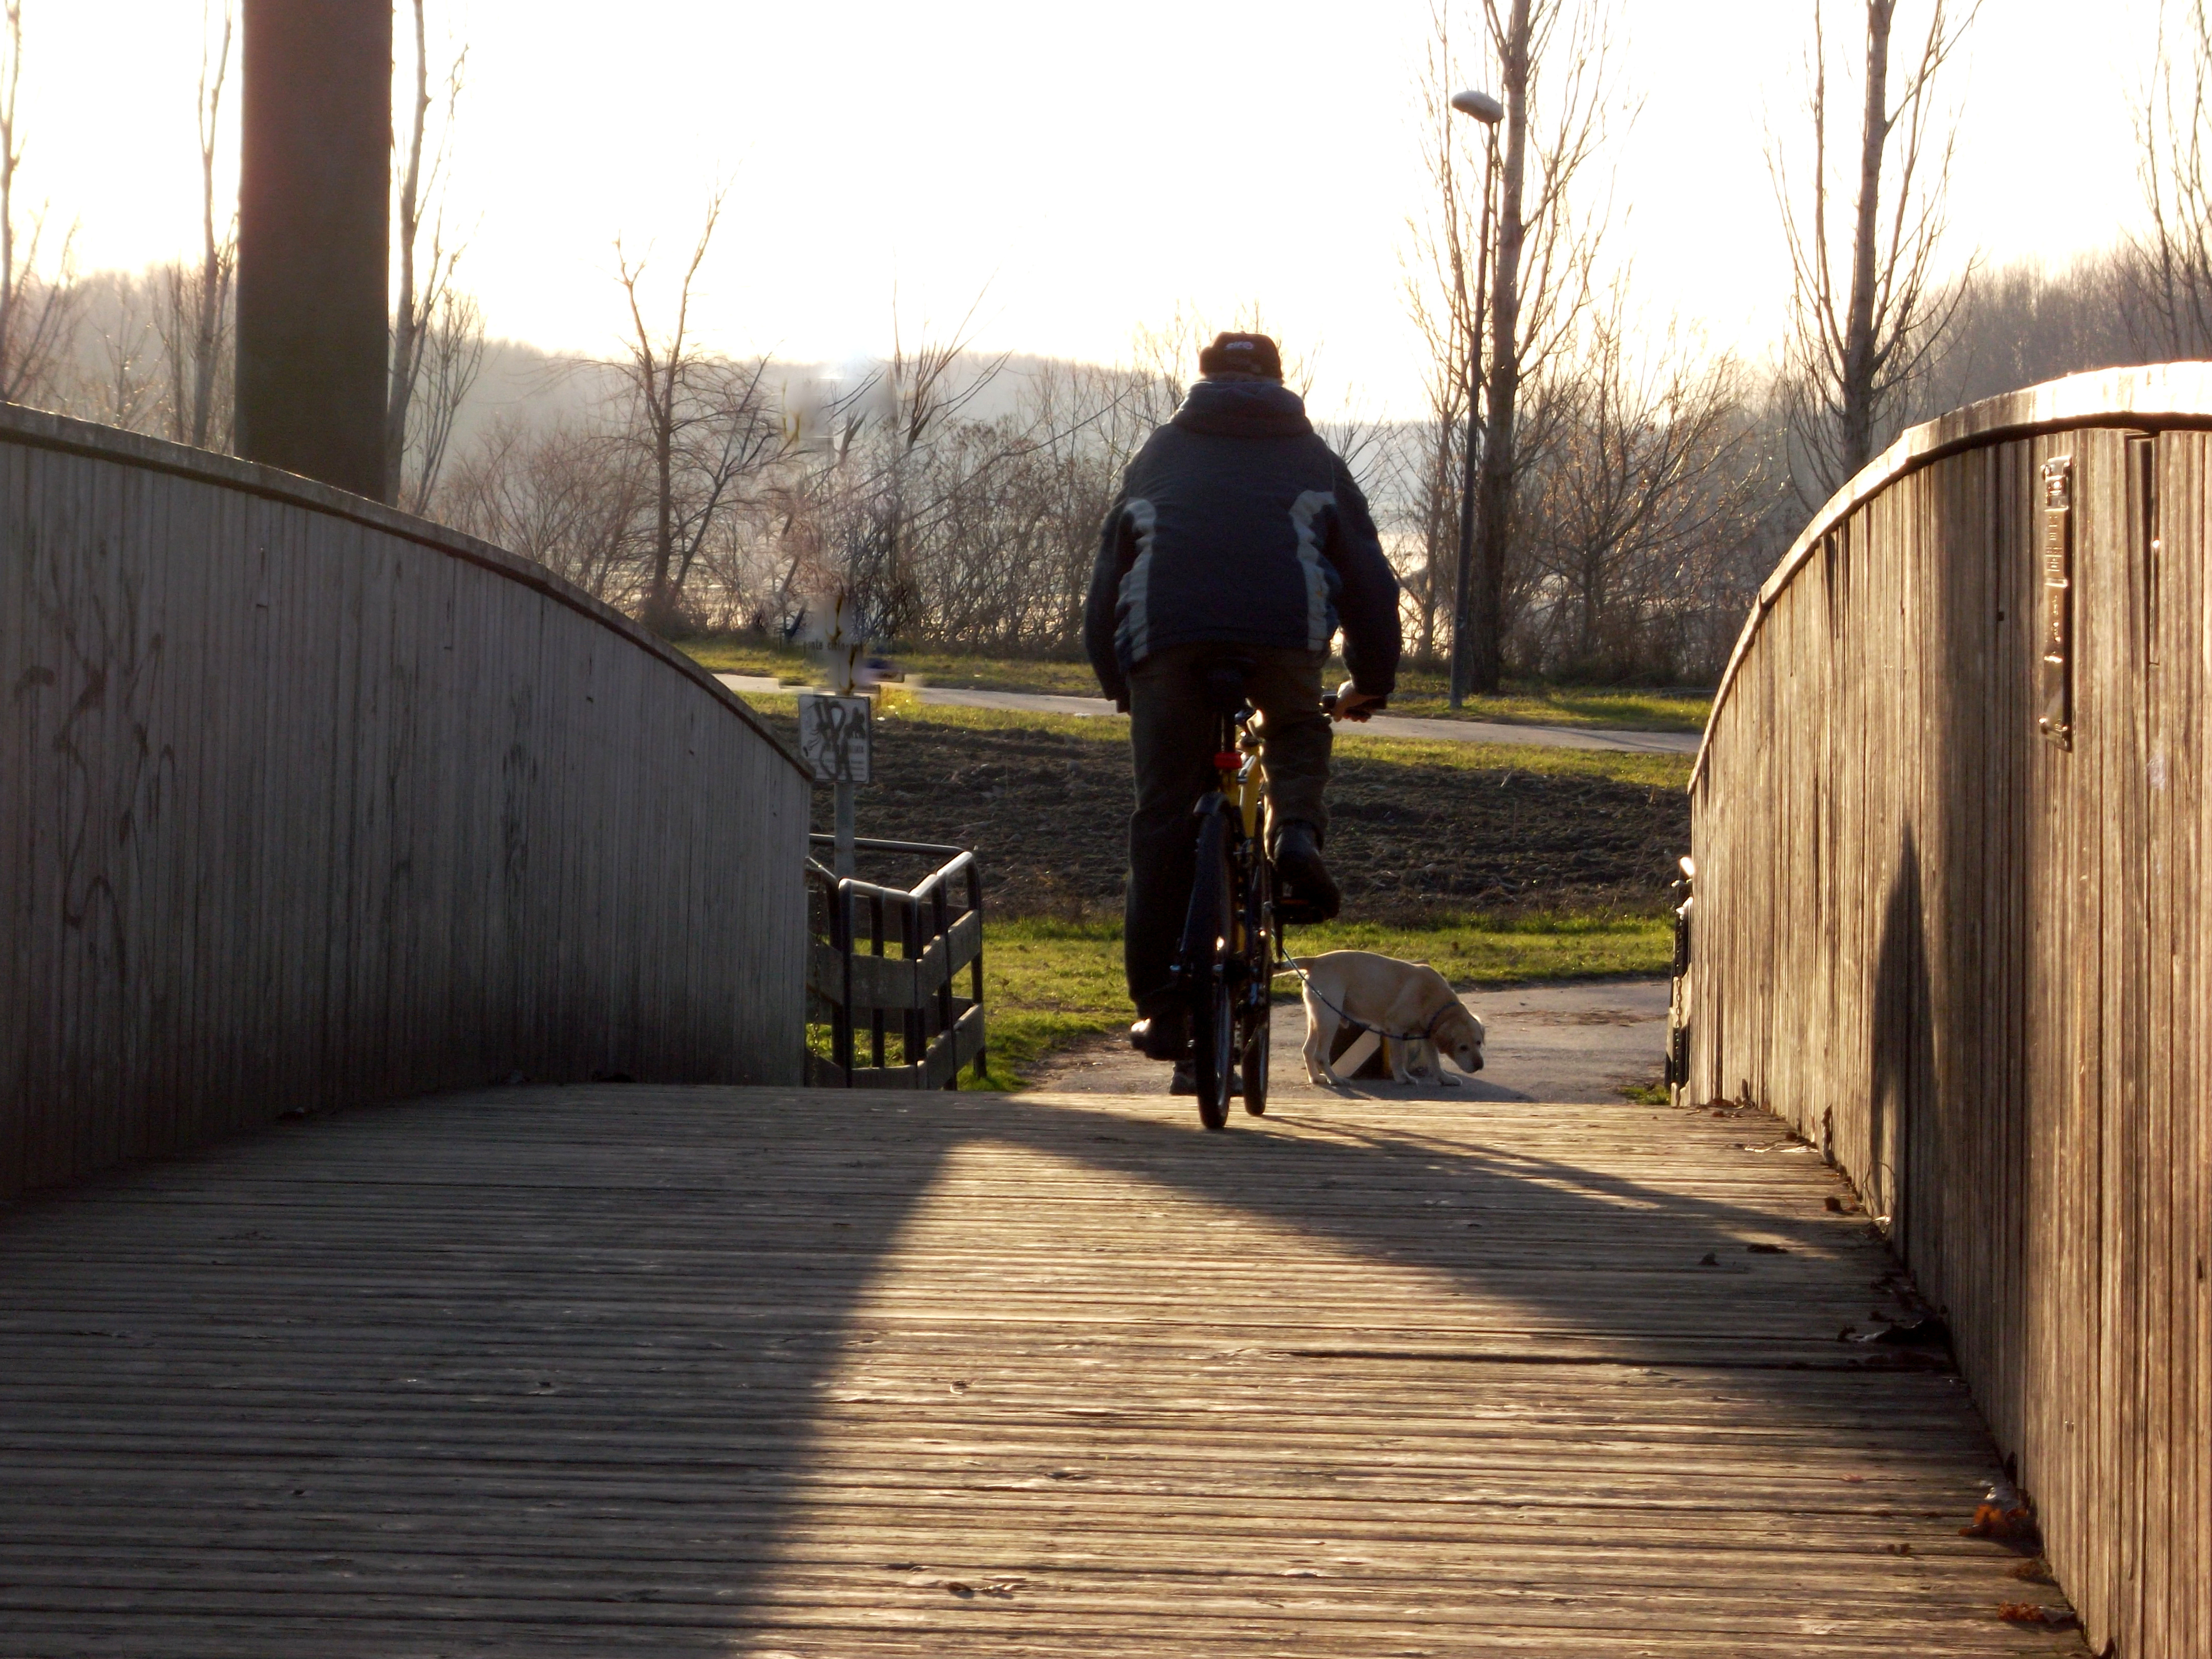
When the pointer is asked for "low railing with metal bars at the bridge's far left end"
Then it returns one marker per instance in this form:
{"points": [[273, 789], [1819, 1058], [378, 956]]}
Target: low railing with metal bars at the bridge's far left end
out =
{"points": [[859, 992]]}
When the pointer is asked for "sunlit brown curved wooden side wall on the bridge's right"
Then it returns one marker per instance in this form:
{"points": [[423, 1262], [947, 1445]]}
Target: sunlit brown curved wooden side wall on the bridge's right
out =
{"points": [[1952, 853]]}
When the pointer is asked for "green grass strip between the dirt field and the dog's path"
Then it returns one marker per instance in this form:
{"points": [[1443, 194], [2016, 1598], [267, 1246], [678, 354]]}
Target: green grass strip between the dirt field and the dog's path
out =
{"points": [[1050, 983]]}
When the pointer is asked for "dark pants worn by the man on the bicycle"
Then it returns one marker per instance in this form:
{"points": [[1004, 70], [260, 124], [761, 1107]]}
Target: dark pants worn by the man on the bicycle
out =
{"points": [[1171, 733]]}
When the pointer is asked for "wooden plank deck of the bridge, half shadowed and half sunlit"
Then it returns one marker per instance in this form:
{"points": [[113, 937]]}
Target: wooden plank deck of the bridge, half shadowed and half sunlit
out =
{"points": [[749, 1373]]}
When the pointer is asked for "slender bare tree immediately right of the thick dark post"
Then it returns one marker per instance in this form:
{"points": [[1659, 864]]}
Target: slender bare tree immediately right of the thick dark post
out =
{"points": [[430, 322]]}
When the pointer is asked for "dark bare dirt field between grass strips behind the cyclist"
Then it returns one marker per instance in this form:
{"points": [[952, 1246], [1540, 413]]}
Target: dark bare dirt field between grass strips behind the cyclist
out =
{"points": [[1047, 813]]}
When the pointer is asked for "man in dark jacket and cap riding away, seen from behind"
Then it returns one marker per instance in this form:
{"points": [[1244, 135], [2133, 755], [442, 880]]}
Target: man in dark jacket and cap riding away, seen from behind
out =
{"points": [[1238, 536]]}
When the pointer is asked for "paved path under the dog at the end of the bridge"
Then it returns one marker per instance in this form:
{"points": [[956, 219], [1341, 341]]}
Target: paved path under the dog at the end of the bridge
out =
{"points": [[1567, 1043]]}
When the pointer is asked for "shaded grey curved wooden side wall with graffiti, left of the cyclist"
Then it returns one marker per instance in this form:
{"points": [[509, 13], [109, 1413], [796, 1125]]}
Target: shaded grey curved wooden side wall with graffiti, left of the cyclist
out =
{"points": [[306, 802]]}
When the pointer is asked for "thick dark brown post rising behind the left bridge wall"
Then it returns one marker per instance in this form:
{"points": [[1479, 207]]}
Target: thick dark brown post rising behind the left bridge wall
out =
{"points": [[315, 191]]}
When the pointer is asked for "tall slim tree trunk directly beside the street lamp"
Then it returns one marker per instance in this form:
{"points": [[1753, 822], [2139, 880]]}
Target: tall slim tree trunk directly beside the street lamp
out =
{"points": [[1494, 503]]}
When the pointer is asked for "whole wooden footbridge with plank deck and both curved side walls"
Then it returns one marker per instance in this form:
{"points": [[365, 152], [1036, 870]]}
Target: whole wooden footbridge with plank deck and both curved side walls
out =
{"points": [[311, 806]]}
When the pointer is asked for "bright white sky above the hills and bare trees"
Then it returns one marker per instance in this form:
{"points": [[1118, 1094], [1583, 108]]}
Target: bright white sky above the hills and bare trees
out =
{"points": [[1092, 165]]}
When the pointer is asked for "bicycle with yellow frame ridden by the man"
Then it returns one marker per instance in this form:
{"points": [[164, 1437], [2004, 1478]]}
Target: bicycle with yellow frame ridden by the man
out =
{"points": [[1231, 941]]}
